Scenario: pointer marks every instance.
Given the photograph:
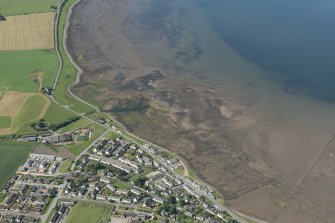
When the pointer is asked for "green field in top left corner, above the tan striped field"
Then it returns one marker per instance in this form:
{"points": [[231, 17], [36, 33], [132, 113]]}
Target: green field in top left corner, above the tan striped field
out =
{"points": [[16, 7]]}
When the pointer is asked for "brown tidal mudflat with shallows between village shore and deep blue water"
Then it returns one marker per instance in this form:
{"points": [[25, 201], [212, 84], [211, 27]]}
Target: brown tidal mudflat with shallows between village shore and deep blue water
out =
{"points": [[239, 131]]}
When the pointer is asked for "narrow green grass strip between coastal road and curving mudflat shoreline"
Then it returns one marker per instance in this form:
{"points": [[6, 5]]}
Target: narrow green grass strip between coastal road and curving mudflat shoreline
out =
{"points": [[68, 72]]}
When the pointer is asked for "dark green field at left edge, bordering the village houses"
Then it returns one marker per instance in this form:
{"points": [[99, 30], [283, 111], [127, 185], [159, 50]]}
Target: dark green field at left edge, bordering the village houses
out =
{"points": [[13, 154]]}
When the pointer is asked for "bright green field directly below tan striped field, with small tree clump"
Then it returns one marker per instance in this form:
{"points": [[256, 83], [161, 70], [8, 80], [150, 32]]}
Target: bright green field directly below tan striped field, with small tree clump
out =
{"points": [[18, 67]]}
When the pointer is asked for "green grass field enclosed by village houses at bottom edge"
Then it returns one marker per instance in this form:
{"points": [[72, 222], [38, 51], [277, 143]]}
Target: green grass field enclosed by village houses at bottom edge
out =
{"points": [[90, 213]]}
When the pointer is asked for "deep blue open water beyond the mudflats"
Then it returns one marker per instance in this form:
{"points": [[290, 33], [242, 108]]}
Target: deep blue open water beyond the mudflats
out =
{"points": [[293, 38]]}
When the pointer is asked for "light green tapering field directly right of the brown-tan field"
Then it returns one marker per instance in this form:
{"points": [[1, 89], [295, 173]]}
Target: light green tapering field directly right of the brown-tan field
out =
{"points": [[31, 111]]}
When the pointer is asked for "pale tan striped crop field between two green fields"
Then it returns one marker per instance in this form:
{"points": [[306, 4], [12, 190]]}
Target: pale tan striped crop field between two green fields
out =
{"points": [[26, 32]]}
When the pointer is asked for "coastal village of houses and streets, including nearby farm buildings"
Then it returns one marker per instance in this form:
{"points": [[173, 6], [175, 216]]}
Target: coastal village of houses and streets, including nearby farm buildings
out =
{"points": [[142, 184]]}
